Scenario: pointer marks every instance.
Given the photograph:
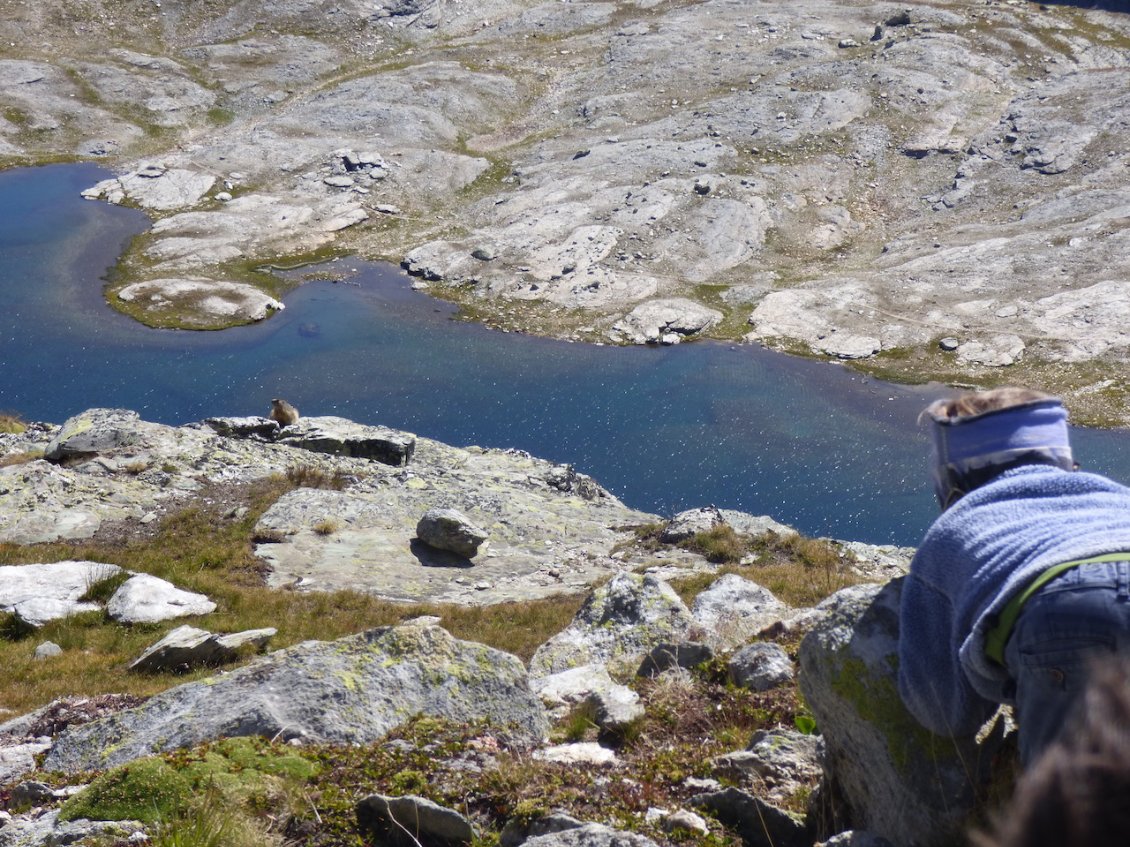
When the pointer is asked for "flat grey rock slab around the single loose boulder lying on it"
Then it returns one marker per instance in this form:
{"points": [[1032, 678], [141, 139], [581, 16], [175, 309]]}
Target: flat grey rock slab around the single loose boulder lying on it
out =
{"points": [[544, 542]]}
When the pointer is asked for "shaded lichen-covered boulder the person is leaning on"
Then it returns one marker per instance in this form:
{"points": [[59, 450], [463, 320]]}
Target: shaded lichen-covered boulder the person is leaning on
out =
{"points": [[897, 779]]}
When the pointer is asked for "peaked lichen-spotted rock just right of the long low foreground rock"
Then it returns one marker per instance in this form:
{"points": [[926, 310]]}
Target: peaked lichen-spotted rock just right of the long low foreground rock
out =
{"points": [[619, 625]]}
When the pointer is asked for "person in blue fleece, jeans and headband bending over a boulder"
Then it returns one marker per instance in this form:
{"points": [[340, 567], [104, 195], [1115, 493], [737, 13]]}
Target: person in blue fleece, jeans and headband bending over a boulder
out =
{"points": [[1015, 514]]}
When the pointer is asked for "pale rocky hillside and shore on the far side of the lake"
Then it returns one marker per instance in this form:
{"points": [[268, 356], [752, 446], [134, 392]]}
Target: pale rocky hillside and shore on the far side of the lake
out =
{"points": [[929, 189]]}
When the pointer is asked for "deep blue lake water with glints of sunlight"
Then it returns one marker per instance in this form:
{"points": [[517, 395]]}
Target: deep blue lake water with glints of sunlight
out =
{"points": [[812, 444]]}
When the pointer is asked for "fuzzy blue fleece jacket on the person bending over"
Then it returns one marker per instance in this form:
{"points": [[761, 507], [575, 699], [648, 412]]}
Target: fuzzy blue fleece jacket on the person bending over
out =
{"points": [[981, 552]]}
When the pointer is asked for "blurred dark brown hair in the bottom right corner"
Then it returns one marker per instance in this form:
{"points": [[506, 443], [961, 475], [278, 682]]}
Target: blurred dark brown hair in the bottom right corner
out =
{"points": [[1079, 792]]}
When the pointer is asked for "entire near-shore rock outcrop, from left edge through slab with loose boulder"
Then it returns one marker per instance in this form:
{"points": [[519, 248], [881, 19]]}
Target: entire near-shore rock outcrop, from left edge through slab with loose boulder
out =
{"points": [[552, 529]]}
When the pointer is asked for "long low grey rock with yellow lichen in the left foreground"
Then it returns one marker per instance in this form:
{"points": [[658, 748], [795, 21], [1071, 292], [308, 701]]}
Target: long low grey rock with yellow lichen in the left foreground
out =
{"points": [[353, 691]]}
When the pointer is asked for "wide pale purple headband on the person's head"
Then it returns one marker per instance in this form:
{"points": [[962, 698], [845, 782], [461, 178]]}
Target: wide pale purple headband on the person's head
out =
{"points": [[968, 450]]}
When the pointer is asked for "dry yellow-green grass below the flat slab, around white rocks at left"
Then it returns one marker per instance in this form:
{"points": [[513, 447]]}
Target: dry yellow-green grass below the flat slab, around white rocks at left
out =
{"points": [[207, 549]]}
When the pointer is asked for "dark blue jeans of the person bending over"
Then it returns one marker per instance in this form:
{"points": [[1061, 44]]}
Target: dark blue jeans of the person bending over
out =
{"points": [[1080, 617]]}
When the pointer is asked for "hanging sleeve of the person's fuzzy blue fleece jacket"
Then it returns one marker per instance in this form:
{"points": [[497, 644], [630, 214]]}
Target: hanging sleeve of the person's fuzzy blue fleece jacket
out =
{"points": [[931, 679]]}
